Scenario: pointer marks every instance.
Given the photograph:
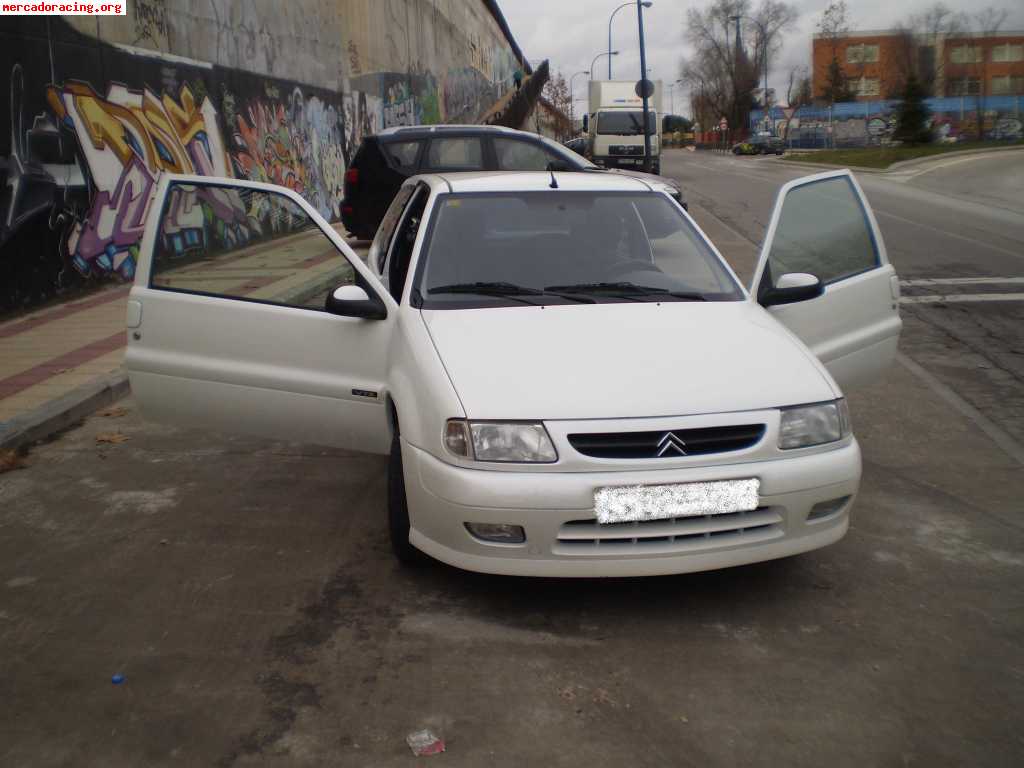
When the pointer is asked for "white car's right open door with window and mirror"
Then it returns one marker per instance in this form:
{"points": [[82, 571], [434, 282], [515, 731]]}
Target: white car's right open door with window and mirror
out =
{"points": [[824, 227]]}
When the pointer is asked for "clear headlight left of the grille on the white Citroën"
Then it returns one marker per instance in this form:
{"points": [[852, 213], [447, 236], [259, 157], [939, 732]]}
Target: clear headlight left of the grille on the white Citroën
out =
{"points": [[500, 442]]}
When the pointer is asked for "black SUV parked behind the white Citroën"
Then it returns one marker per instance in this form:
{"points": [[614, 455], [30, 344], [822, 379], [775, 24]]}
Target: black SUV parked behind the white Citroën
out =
{"points": [[386, 160]]}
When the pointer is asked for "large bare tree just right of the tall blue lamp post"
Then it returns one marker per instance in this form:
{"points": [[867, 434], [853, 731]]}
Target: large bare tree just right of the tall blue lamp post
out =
{"points": [[721, 76]]}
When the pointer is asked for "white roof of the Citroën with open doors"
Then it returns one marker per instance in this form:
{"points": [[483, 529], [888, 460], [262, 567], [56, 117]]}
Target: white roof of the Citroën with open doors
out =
{"points": [[491, 182]]}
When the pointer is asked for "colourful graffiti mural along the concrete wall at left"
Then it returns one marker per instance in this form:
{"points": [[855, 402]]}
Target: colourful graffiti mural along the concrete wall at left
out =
{"points": [[90, 139]]}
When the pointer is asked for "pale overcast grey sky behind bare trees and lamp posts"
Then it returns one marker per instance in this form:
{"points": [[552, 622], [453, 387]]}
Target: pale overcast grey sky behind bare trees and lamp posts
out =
{"points": [[571, 33]]}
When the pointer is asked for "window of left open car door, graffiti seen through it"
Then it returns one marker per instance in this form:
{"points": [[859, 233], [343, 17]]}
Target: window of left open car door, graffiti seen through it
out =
{"points": [[246, 245]]}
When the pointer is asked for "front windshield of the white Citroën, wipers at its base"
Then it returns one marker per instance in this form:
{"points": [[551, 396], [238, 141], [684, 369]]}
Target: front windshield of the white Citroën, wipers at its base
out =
{"points": [[514, 249]]}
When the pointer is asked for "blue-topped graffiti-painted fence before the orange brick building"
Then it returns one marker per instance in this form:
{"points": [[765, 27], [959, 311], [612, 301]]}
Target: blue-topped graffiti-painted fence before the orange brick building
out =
{"points": [[873, 123]]}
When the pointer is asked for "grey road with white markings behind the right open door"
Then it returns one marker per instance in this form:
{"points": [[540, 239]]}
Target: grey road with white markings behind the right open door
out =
{"points": [[959, 221]]}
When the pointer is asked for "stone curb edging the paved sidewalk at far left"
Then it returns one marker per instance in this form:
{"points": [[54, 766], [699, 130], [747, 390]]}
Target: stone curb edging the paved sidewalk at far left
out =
{"points": [[64, 412]]}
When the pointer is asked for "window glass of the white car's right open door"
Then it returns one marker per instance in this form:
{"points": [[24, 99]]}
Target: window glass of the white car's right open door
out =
{"points": [[823, 231]]}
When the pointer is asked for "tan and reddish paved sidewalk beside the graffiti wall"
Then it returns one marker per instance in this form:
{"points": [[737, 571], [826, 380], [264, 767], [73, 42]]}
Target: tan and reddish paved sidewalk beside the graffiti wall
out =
{"points": [[60, 363]]}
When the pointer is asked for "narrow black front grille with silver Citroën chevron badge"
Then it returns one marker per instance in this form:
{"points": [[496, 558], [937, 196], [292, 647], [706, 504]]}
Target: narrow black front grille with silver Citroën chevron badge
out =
{"points": [[667, 444]]}
